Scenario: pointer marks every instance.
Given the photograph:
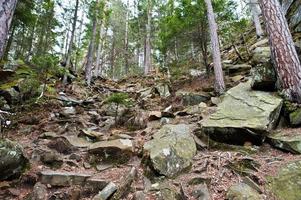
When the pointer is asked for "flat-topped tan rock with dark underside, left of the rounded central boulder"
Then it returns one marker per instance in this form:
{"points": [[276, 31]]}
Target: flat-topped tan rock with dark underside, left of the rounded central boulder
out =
{"points": [[114, 150]]}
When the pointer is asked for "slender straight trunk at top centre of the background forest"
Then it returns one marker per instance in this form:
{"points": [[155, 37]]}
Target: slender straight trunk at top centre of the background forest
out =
{"points": [[147, 62]]}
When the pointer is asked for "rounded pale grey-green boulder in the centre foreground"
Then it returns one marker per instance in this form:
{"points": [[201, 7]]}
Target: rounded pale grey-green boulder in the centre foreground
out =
{"points": [[172, 149]]}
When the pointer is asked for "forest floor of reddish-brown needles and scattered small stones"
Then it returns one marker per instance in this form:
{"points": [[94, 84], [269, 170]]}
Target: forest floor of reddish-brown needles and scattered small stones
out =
{"points": [[54, 134]]}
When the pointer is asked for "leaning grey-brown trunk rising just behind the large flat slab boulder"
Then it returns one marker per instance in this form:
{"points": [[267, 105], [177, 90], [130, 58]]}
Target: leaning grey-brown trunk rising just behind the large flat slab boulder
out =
{"points": [[218, 71]]}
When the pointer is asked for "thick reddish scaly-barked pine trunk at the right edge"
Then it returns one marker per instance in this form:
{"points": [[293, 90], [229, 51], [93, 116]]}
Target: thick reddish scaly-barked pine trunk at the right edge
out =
{"points": [[284, 54]]}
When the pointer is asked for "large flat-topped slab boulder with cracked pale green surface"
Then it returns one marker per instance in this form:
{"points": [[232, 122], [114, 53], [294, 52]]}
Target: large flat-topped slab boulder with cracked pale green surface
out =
{"points": [[244, 115]]}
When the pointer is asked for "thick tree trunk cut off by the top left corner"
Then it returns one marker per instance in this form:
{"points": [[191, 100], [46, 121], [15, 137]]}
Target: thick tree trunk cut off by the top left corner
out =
{"points": [[7, 8]]}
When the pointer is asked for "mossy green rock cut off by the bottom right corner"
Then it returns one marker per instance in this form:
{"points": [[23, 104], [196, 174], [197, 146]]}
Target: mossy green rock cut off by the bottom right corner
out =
{"points": [[286, 184]]}
